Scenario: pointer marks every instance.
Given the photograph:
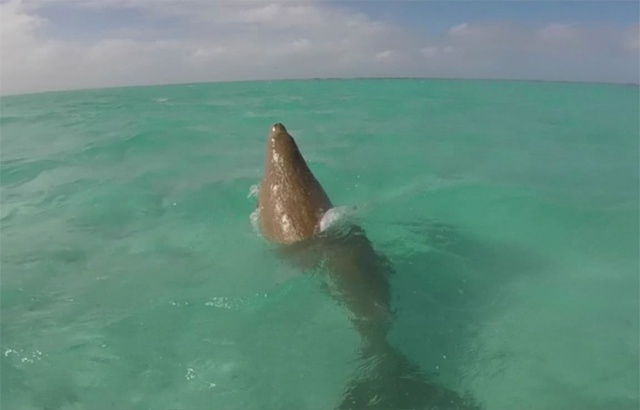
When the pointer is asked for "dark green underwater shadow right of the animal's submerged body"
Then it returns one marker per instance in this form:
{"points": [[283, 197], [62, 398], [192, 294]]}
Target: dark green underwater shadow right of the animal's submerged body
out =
{"points": [[447, 284]]}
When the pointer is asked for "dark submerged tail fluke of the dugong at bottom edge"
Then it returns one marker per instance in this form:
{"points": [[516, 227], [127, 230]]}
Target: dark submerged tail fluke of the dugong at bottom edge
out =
{"points": [[391, 381]]}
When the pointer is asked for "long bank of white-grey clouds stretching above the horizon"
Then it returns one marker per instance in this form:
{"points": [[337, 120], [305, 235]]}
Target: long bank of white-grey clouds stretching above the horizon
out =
{"points": [[275, 40]]}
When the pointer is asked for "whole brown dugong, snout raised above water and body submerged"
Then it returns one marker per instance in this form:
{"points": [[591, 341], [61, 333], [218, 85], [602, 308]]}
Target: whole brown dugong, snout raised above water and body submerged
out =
{"points": [[291, 204]]}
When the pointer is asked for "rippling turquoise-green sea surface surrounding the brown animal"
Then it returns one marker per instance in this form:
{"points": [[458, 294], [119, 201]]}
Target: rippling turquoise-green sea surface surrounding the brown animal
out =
{"points": [[132, 277]]}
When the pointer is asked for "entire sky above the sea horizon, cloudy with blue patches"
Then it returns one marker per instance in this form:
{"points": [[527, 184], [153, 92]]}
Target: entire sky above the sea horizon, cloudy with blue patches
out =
{"points": [[48, 45]]}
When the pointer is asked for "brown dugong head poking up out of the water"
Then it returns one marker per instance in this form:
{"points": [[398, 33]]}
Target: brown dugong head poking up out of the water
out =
{"points": [[291, 201]]}
